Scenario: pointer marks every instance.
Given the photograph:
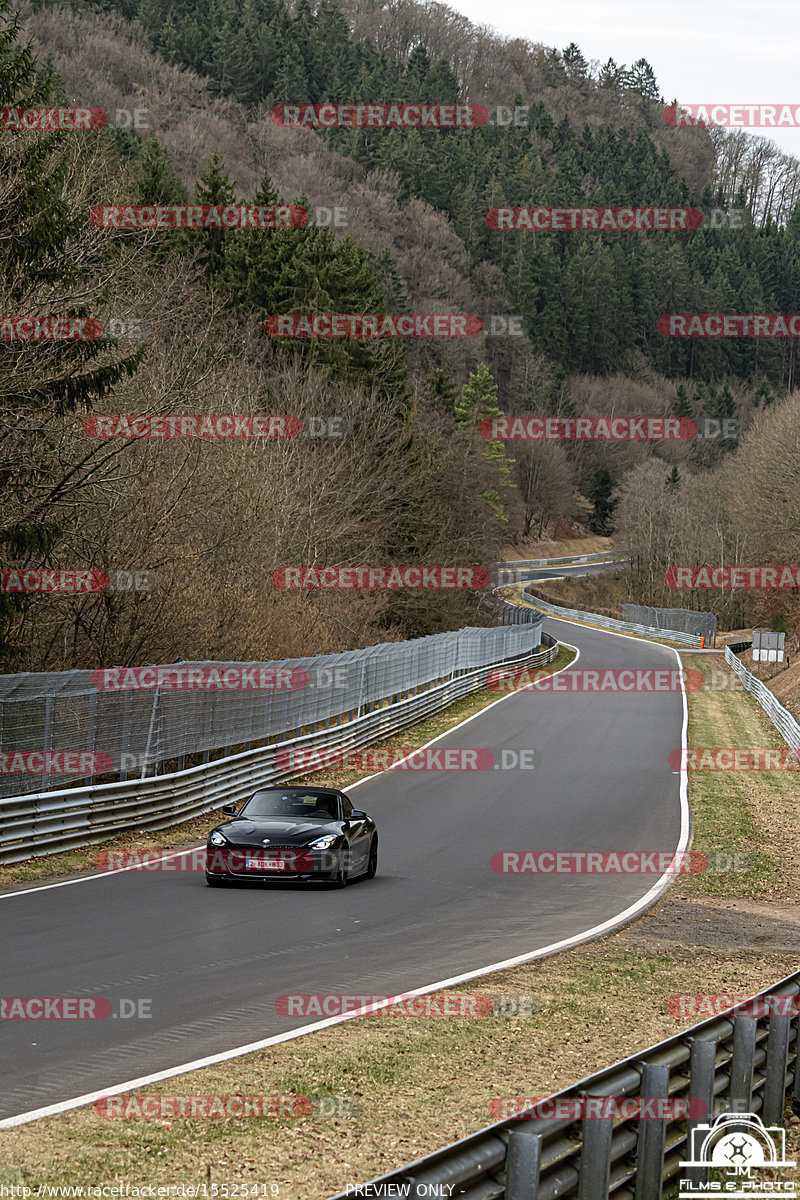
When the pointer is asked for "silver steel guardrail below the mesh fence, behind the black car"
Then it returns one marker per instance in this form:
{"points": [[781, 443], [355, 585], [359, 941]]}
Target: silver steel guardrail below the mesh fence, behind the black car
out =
{"points": [[47, 823]]}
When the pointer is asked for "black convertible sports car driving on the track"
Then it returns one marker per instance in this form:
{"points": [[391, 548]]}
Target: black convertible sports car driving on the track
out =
{"points": [[293, 833]]}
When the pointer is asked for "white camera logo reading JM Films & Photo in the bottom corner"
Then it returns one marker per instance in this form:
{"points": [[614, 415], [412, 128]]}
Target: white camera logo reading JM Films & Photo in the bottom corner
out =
{"points": [[738, 1145]]}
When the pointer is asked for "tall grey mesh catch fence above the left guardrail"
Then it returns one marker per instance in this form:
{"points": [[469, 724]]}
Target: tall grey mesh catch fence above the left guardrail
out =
{"points": [[93, 727]]}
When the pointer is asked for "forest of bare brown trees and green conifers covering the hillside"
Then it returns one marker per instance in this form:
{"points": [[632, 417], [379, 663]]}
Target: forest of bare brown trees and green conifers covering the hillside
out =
{"points": [[412, 481]]}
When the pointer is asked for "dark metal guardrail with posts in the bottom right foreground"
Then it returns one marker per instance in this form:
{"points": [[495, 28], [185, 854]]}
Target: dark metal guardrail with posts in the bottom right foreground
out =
{"points": [[731, 1064]]}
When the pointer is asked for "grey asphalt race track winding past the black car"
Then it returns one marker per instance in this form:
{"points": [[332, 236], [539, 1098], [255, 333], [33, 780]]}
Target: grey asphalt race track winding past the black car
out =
{"points": [[213, 962]]}
